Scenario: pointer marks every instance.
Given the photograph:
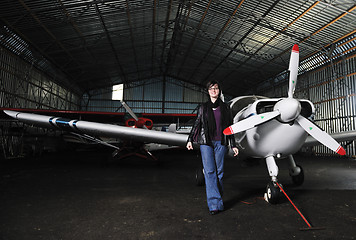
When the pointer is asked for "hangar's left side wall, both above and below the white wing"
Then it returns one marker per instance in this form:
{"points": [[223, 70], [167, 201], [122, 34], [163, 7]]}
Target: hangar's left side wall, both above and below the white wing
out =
{"points": [[23, 85]]}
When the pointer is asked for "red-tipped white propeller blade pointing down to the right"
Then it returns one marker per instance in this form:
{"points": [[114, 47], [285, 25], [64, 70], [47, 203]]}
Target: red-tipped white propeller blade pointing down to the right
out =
{"points": [[320, 135]]}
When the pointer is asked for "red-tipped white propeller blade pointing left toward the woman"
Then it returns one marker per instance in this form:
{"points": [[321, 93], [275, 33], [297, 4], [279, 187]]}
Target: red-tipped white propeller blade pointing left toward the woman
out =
{"points": [[250, 122]]}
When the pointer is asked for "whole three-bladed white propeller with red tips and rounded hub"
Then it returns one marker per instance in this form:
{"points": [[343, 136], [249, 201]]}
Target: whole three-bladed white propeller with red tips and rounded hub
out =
{"points": [[288, 110]]}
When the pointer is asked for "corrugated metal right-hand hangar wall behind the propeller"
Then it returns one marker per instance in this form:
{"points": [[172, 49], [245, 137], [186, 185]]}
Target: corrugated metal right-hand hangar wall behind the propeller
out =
{"points": [[331, 87]]}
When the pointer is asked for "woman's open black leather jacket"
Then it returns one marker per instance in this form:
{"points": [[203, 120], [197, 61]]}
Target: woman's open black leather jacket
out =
{"points": [[200, 134]]}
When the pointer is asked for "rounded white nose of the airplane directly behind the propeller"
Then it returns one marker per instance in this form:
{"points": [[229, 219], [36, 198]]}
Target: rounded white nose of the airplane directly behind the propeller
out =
{"points": [[275, 137]]}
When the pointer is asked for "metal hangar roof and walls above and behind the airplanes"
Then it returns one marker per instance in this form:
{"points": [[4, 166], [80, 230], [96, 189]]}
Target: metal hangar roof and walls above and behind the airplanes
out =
{"points": [[68, 55]]}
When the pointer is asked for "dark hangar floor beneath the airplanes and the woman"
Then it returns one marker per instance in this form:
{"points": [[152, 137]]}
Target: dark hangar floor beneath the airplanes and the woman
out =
{"points": [[75, 196]]}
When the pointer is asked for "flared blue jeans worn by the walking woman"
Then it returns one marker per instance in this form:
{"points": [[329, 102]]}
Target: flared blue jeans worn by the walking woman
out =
{"points": [[213, 163]]}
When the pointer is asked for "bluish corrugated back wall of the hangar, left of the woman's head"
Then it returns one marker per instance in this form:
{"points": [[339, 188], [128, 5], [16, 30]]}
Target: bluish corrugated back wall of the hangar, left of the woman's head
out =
{"points": [[157, 95]]}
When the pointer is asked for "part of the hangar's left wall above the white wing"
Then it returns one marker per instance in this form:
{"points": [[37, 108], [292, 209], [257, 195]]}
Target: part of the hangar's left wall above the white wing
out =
{"points": [[22, 85]]}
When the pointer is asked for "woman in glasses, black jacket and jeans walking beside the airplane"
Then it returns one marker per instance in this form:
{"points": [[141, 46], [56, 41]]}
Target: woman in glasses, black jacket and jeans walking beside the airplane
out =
{"points": [[212, 118]]}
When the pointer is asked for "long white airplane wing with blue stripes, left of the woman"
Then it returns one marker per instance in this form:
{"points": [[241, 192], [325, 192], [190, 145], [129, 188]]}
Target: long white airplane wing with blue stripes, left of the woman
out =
{"points": [[100, 129]]}
